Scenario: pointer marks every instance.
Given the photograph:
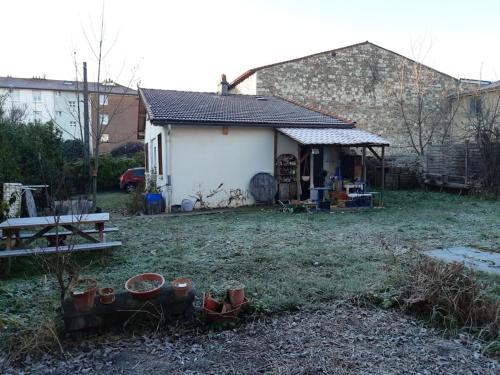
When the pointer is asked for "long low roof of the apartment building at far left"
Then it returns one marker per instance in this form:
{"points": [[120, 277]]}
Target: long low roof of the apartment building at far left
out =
{"points": [[59, 85]]}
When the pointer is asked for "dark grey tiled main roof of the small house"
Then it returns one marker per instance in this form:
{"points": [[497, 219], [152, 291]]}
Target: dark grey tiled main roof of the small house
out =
{"points": [[183, 107]]}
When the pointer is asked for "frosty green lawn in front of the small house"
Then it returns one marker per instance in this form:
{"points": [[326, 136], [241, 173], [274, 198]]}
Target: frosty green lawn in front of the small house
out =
{"points": [[287, 261]]}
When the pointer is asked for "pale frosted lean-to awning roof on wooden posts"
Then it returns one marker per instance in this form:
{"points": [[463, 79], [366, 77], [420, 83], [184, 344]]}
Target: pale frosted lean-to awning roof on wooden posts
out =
{"points": [[330, 136]]}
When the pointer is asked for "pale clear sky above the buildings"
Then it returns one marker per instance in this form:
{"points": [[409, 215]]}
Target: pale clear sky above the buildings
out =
{"points": [[186, 45]]}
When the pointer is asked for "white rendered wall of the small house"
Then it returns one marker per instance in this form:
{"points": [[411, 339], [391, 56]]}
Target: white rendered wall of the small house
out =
{"points": [[201, 158]]}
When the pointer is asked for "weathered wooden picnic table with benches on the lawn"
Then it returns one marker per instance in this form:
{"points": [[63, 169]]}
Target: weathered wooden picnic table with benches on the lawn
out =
{"points": [[55, 229]]}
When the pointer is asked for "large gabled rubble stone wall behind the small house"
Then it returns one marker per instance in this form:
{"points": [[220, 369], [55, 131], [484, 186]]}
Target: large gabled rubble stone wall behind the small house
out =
{"points": [[356, 82]]}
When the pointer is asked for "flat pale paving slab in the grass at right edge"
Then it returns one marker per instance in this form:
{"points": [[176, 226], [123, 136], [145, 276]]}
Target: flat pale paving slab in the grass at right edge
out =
{"points": [[476, 259]]}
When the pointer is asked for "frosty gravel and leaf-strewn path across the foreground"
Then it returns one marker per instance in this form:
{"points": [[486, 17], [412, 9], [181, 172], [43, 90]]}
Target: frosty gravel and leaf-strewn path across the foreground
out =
{"points": [[343, 340]]}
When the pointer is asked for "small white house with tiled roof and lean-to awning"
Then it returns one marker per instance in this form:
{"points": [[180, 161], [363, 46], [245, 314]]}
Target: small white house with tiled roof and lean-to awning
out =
{"points": [[210, 145]]}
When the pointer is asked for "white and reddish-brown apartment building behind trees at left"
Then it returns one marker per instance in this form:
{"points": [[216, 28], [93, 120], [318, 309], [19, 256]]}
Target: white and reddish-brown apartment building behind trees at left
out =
{"points": [[29, 100]]}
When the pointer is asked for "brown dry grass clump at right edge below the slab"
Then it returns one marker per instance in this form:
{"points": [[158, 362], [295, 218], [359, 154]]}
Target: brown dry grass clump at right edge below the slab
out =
{"points": [[450, 295]]}
